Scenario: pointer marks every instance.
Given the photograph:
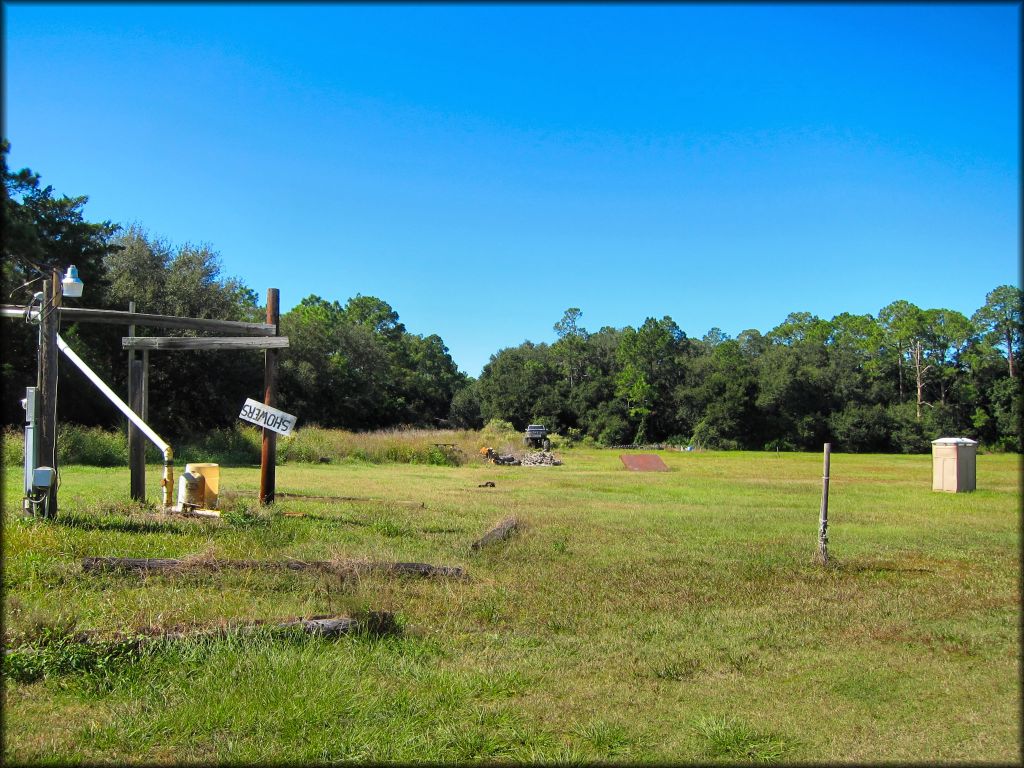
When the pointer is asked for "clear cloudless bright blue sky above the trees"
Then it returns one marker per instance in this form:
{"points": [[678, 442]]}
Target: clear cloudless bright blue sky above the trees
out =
{"points": [[482, 168]]}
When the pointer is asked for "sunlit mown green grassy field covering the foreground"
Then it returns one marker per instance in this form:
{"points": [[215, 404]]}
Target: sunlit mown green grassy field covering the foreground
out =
{"points": [[673, 617]]}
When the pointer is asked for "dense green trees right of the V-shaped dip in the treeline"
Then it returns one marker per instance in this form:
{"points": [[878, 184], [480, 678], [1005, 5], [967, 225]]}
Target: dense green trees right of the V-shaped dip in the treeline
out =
{"points": [[890, 383]]}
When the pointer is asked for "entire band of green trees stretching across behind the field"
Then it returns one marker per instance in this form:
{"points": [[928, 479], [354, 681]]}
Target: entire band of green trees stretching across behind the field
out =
{"points": [[890, 382]]}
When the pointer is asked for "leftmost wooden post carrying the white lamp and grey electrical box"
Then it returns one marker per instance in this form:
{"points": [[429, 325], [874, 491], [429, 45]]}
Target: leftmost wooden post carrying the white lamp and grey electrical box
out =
{"points": [[50, 326]]}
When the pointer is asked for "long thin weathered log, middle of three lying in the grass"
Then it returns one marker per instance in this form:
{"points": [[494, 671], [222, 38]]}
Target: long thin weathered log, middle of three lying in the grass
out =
{"points": [[148, 565]]}
